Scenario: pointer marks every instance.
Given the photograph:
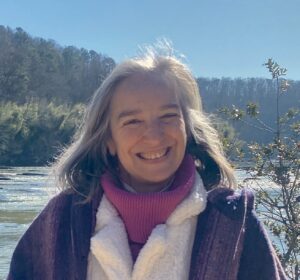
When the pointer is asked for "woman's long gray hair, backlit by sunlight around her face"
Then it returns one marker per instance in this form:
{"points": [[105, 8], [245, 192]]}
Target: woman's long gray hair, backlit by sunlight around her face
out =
{"points": [[80, 166]]}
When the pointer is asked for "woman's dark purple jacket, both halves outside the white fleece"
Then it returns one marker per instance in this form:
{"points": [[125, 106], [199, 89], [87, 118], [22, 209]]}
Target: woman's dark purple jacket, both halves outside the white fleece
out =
{"points": [[230, 242]]}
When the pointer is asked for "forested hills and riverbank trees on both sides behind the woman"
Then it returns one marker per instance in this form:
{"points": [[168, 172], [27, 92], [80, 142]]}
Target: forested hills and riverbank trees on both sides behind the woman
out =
{"points": [[44, 88]]}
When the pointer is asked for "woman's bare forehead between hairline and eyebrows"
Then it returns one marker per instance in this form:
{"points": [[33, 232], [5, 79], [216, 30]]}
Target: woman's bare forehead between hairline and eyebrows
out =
{"points": [[144, 90]]}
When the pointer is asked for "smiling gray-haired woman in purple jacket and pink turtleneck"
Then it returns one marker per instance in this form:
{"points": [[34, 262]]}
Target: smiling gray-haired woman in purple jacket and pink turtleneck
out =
{"points": [[145, 194]]}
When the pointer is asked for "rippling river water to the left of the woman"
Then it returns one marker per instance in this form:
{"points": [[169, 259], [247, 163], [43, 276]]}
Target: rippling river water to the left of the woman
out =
{"points": [[23, 193]]}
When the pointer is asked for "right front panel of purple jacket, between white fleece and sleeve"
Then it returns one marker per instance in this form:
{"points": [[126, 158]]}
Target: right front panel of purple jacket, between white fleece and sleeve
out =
{"points": [[219, 237]]}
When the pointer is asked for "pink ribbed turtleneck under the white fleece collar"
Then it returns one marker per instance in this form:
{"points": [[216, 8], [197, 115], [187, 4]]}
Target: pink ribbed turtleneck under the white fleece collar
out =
{"points": [[141, 212]]}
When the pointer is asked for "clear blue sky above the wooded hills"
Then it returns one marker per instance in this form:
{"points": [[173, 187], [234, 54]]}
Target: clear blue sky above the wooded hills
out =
{"points": [[224, 38]]}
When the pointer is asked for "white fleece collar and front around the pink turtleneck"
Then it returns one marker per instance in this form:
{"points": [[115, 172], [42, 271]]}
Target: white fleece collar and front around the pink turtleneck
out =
{"points": [[166, 254]]}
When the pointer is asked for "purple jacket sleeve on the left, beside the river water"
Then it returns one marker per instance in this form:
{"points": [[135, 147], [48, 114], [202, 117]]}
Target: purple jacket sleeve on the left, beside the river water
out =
{"points": [[33, 255]]}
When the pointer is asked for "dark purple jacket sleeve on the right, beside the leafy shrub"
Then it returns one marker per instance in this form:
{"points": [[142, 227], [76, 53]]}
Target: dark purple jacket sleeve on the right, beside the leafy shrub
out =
{"points": [[259, 260]]}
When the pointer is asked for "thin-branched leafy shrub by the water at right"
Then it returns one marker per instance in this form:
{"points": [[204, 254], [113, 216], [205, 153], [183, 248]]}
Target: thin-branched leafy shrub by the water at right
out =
{"points": [[277, 164]]}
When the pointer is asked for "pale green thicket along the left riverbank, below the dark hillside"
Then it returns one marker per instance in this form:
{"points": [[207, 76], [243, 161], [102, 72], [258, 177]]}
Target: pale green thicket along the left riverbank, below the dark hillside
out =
{"points": [[33, 133]]}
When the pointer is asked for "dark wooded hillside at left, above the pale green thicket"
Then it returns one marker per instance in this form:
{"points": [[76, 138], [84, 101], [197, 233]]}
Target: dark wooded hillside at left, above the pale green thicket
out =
{"points": [[34, 69]]}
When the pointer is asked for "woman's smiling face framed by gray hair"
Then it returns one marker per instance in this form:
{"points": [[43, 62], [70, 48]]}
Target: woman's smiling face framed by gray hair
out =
{"points": [[147, 132]]}
